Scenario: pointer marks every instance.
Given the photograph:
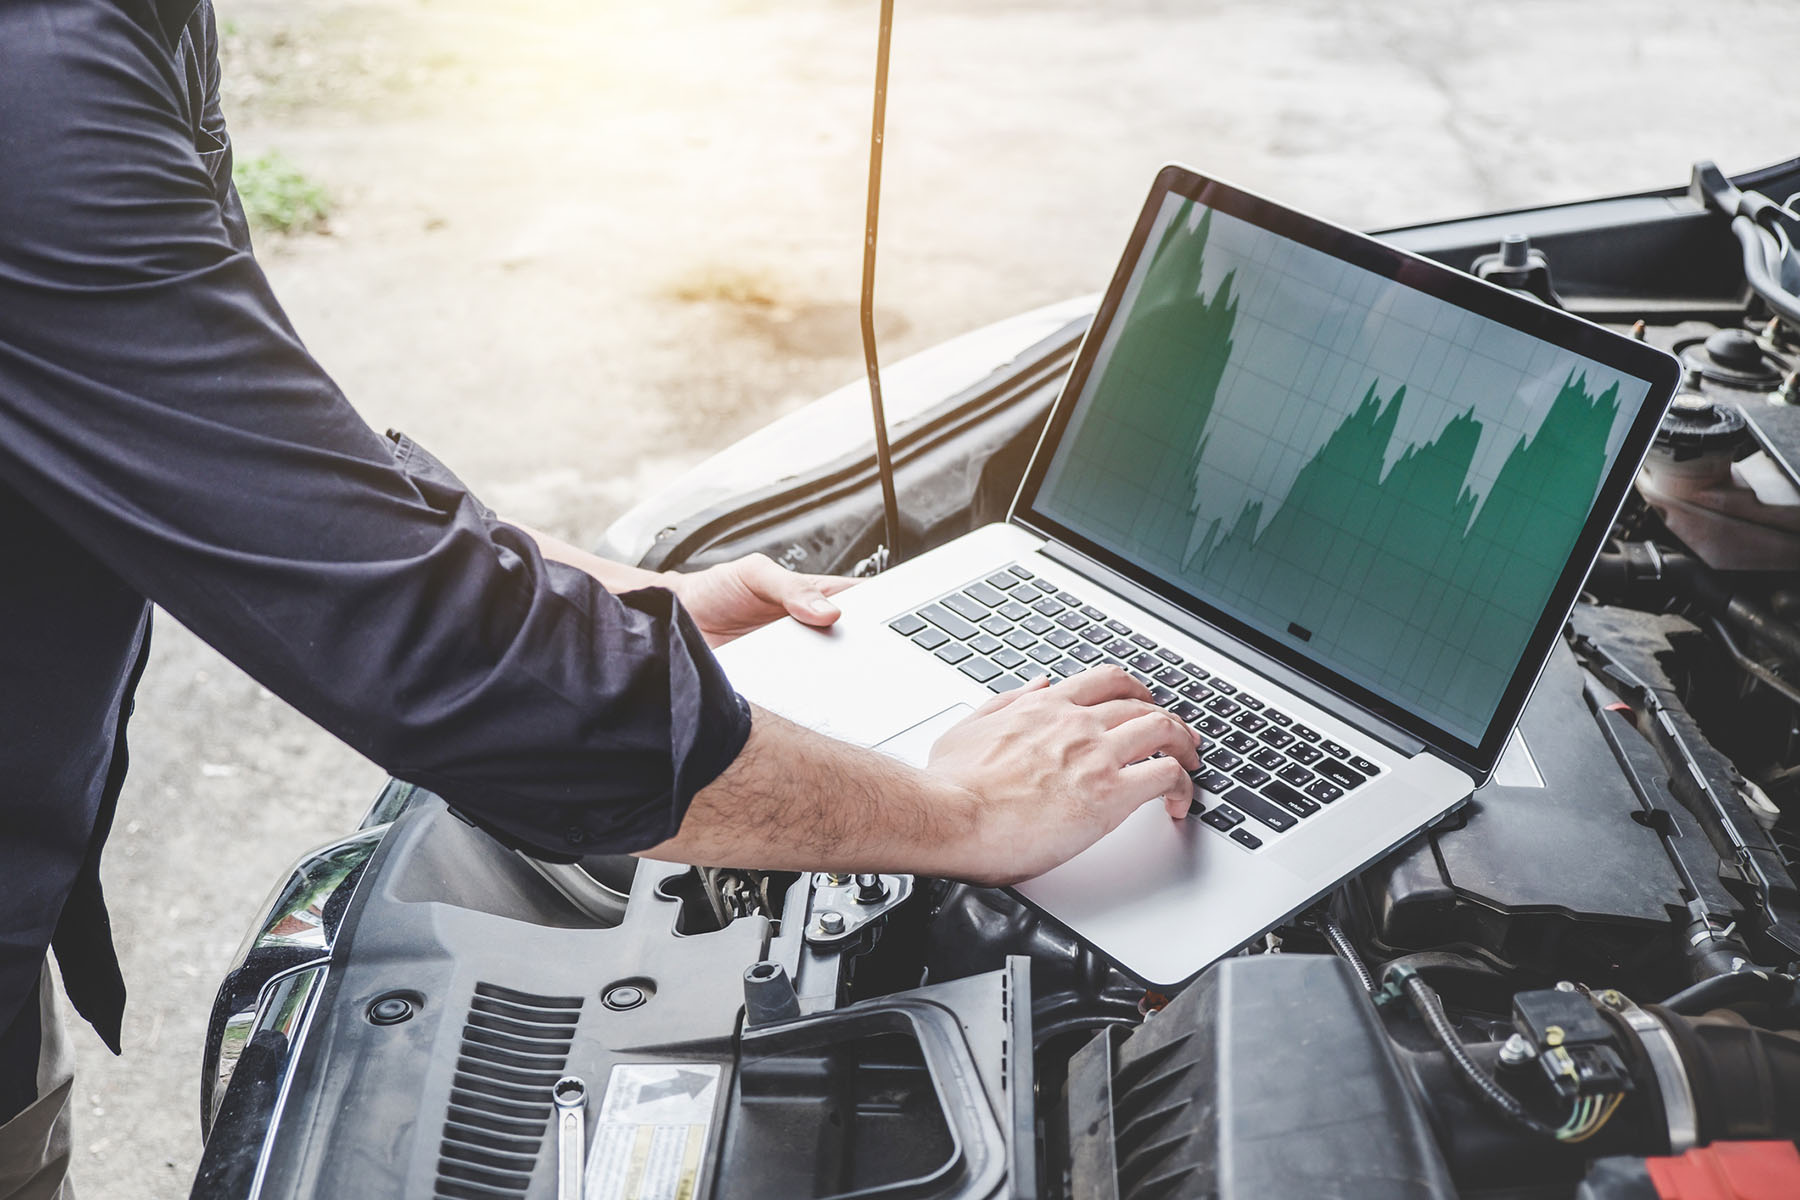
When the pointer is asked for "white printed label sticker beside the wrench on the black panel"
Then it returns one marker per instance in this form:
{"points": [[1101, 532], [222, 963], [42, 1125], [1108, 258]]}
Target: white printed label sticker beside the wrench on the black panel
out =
{"points": [[651, 1138]]}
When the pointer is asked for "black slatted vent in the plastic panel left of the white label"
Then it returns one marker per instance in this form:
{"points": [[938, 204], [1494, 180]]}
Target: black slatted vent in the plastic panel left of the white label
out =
{"points": [[514, 1050]]}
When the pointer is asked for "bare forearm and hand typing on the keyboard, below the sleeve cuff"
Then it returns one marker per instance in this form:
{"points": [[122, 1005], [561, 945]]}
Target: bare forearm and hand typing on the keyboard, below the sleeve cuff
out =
{"points": [[1029, 782]]}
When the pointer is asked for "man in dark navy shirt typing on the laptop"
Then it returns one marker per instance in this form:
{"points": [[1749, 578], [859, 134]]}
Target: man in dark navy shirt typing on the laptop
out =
{"points": [[166, 440]]}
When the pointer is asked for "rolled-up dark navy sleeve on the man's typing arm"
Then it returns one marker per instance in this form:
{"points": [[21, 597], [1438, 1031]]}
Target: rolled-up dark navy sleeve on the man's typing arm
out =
{"points": [[159, 407]]}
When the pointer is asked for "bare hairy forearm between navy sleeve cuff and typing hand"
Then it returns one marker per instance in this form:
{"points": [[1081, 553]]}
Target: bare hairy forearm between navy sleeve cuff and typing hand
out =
{"points": [[800, 801]]}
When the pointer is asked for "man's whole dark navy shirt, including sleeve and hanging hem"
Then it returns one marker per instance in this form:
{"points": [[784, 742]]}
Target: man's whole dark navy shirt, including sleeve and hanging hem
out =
{"points": [[166, 438]]}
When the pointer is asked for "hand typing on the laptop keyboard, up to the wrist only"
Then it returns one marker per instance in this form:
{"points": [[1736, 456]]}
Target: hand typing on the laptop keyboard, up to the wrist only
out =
{"points": [[1056, 767]]}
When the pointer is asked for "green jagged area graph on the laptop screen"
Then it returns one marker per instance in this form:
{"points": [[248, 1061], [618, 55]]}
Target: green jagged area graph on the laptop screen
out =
{"points": [[1394, 560]]}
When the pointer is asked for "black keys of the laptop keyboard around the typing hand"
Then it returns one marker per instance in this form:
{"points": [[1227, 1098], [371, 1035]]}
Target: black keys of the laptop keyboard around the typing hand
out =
{"points": [[1263, 773]]}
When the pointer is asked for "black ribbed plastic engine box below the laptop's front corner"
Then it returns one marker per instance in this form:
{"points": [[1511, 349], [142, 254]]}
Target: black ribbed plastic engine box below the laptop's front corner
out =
{"points": [[1270, 1077]]}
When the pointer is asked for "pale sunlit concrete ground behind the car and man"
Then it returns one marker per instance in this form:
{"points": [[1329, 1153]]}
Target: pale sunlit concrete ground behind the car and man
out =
{"points": [[575, 247]]}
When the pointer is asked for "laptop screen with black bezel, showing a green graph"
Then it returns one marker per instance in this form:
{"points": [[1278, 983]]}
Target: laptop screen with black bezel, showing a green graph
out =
{"points": [[1367, 474]]}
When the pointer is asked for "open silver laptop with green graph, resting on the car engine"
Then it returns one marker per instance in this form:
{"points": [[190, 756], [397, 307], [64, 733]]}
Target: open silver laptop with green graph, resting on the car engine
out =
{"points": [[1329, 501]]}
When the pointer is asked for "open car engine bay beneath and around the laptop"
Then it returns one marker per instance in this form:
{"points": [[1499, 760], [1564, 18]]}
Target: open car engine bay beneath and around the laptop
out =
{"points": [[1581, 983]]}
